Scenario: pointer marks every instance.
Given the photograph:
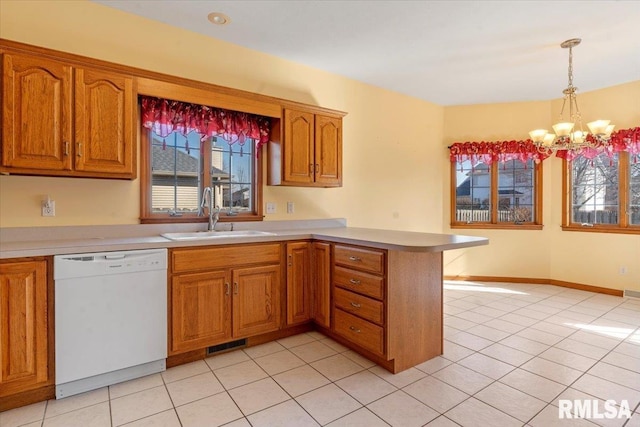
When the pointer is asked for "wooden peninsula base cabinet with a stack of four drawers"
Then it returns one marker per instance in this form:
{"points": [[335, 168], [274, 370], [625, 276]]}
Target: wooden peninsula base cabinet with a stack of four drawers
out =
{"points": [[388, 303]]}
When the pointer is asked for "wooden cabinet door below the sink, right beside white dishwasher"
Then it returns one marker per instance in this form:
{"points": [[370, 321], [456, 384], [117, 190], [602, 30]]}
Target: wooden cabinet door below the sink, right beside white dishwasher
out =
{"points": [[200, 310]]}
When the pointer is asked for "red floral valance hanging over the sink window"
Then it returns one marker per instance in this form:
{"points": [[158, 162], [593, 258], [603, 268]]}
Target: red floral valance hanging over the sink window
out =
{"points": [[163, 116]]}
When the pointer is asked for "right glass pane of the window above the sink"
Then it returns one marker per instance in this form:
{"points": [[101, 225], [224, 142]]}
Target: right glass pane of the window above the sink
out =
{"points": [[232, 175]]}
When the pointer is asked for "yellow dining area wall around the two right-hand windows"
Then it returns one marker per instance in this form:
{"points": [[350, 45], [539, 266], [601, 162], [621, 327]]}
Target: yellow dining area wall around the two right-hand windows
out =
{"points": [[579, 257]]}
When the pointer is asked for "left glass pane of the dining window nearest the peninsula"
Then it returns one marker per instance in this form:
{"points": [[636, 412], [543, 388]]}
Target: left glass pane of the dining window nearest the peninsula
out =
{"points": [[473, 192]]}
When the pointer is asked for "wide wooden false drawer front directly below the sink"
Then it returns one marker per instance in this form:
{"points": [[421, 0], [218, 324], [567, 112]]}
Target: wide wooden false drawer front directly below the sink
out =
{"points": [[222, 257]]}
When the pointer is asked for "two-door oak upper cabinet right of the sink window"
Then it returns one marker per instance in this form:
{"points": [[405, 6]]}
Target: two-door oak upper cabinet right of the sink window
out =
{"points": [[309, 151]]}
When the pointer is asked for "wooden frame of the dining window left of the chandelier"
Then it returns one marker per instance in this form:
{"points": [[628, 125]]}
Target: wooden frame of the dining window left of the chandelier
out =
{"points": [[536, 224]]}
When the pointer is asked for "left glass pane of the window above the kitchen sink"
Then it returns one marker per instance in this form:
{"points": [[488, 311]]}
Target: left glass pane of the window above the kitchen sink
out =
{"points": [[175, 173]]}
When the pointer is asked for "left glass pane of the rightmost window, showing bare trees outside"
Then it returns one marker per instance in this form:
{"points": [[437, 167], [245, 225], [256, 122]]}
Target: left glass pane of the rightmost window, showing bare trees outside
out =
{"points": [[595, 190]]}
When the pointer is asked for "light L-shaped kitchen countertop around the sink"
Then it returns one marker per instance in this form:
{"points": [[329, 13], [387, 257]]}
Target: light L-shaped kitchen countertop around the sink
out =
{"points": [[44, 241]]}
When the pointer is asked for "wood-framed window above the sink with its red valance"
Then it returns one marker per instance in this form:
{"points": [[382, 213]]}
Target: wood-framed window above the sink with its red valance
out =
{"points": [[178, 164]]}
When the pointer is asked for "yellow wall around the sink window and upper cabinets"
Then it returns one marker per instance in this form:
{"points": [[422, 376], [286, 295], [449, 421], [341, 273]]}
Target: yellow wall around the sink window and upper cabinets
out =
{"points": [[386, 137]]}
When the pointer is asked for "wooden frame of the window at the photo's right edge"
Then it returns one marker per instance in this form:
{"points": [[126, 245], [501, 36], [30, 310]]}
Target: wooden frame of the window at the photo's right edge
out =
{"points": [[623, 227]]}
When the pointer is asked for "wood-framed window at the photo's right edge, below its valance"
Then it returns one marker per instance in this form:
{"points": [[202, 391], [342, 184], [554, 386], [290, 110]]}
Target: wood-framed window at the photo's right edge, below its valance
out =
{"points": [[603, 193]]}
